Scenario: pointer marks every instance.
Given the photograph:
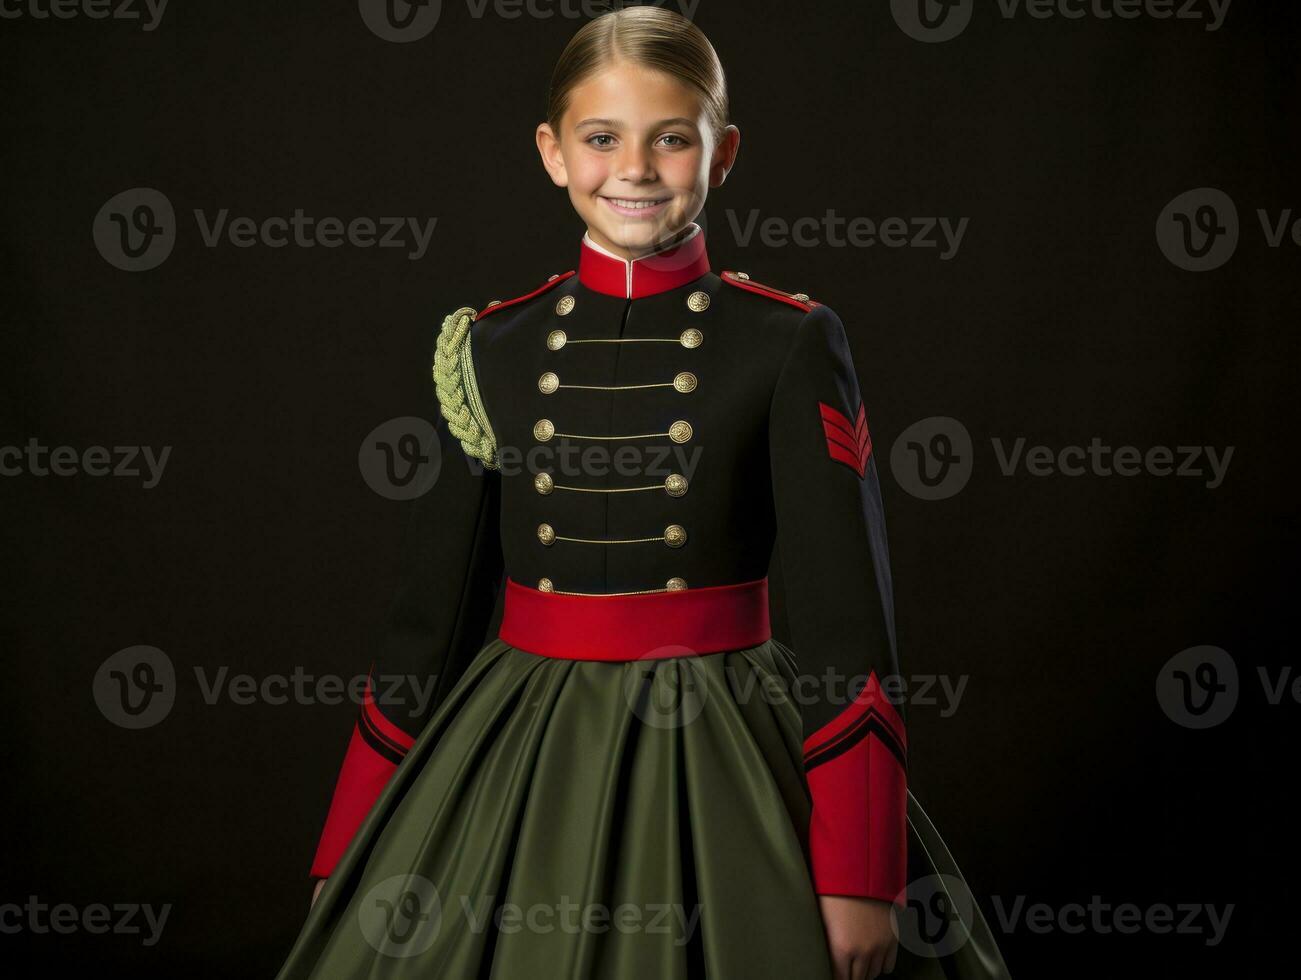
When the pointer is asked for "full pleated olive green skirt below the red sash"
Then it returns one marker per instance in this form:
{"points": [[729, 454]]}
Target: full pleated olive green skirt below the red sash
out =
{"points": [[585, 821]]}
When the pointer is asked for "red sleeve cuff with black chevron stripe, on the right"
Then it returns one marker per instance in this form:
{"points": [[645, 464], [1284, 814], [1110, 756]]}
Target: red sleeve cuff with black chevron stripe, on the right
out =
{"points": [[857, 774]]}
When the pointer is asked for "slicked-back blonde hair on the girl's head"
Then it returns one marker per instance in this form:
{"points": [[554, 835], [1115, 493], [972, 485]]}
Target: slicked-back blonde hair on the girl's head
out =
{"points": [[651, 37]]}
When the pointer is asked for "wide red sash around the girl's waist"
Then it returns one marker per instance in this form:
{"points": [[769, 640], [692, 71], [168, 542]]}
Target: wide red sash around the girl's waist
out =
{"points": [[650, 627]]}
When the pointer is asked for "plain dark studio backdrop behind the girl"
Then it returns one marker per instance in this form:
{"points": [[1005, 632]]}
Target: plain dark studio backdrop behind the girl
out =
{"points": [[263, 551]]}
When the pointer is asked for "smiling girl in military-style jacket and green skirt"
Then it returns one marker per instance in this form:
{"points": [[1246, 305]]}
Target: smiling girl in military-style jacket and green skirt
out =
{"points": [[634, 780]]}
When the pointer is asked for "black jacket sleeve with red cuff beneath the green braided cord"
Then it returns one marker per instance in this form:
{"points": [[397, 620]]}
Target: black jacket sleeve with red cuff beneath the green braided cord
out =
{"points": [[451, 573]]}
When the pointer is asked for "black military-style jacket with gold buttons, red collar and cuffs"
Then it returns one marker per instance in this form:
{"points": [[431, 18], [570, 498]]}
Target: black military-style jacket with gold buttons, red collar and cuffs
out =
{"points": [[651, 426]]}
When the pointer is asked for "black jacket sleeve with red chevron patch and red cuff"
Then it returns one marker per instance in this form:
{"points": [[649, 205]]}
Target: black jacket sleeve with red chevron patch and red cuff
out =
{"points": [[836, 569]]}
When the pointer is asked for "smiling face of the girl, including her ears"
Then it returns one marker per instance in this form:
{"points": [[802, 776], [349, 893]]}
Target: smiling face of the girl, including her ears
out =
{"points": [[638, 157]]}
